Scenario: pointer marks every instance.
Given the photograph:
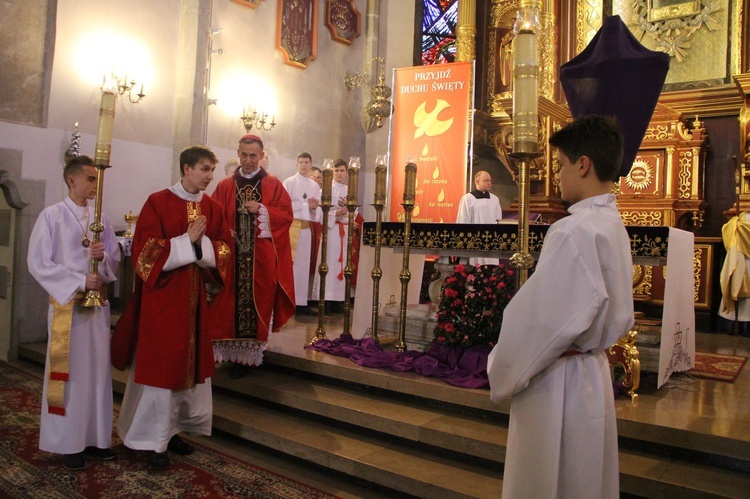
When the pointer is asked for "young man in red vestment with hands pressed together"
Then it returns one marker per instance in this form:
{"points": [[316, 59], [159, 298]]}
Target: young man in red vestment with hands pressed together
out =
{"points": [[181, 243]]}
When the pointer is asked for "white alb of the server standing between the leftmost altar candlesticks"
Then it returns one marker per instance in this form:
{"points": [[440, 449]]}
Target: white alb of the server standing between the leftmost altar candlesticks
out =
{"points": [[336, 248]]}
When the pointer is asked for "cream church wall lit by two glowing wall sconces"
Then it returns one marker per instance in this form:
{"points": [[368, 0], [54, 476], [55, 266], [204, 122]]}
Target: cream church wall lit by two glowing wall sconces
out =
{"points": [[313, 110]]}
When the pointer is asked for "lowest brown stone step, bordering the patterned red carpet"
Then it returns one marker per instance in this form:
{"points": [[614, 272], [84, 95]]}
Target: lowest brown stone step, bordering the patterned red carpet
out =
{"points": [[366, 457]]}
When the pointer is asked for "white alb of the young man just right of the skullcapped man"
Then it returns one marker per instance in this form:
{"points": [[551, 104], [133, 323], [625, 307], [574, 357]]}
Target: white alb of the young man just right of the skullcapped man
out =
{"points": [[301, 189]]}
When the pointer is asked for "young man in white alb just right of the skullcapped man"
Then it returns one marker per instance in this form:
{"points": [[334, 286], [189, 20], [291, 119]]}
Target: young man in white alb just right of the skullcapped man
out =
{"points": [[305, 194]]}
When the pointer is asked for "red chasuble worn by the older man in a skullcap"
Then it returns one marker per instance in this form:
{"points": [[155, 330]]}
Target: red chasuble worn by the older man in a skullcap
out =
{"points": [[272, 292]]}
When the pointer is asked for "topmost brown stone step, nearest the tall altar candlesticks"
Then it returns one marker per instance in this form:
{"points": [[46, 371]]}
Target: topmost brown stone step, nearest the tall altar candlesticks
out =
{"points": [[682, 434]]}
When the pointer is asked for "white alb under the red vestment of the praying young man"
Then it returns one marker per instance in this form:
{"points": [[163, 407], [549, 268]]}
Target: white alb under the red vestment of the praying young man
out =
{"points": [[150, 416]]}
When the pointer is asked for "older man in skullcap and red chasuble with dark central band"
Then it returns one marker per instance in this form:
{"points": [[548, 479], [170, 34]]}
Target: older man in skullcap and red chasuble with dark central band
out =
{"points": [[260, 296]]}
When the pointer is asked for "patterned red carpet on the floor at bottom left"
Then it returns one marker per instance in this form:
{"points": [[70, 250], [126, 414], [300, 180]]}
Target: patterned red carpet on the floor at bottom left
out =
{"points": [[25, 471]]}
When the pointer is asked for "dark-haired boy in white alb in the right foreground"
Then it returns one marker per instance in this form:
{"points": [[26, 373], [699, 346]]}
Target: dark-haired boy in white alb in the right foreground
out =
{"points": [[550, 355]]}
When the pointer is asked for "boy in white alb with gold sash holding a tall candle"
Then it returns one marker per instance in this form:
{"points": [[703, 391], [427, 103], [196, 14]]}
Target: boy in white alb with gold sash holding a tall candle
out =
{"points": [[77, 394]]}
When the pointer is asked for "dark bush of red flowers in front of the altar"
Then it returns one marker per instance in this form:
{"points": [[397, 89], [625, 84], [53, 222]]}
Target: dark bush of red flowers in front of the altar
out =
{"points": [[471, 306]]}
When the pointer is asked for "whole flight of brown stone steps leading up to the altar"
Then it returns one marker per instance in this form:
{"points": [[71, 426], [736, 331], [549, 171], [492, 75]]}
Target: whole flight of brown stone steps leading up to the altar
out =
{"points": [[387, 429]]}
